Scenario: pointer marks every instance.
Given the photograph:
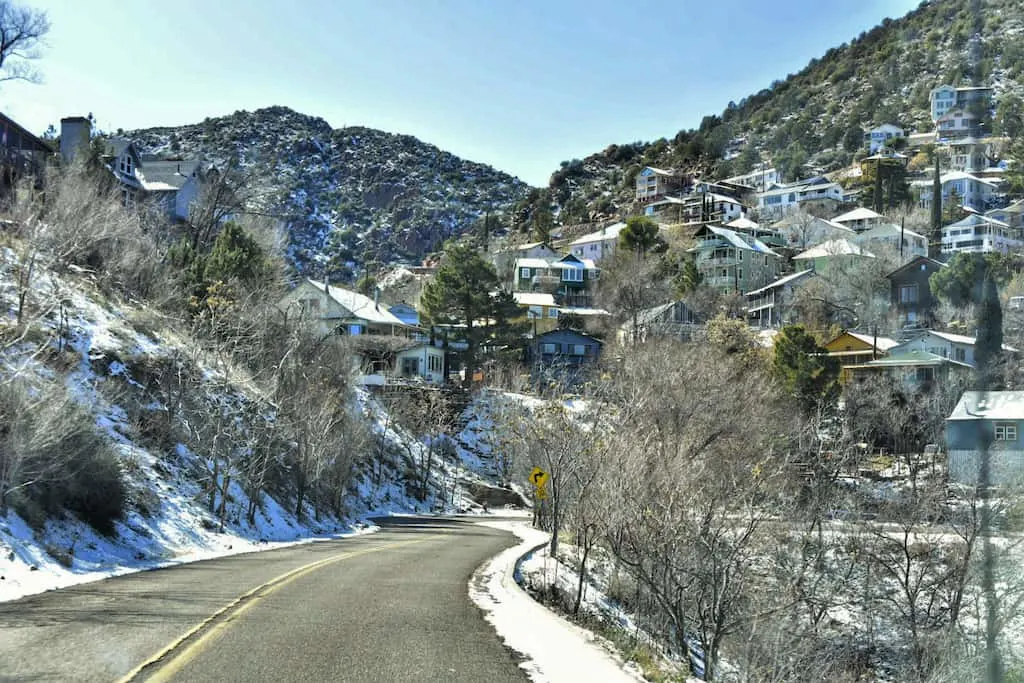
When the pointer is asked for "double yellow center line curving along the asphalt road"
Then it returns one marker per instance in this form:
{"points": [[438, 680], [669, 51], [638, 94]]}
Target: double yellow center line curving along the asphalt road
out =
{"points": [[234, 610]]}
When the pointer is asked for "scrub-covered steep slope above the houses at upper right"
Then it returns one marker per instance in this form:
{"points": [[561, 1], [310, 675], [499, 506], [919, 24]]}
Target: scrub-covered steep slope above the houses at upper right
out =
{"points": [[814, 121]]}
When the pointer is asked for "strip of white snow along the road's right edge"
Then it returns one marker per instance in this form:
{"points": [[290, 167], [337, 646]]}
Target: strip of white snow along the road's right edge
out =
{"points": [[556, 651]]}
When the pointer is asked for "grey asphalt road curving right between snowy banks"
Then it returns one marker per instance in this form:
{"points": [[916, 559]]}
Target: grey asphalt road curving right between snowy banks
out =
{"points": [[388, 607]]}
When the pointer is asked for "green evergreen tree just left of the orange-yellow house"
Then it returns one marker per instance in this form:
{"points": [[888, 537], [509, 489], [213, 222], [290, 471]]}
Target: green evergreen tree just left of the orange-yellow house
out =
{"points": [[808, 375]]}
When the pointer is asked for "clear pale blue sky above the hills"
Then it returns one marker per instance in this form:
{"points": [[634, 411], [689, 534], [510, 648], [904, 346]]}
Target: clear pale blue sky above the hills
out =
{"points": [[519, 84]]}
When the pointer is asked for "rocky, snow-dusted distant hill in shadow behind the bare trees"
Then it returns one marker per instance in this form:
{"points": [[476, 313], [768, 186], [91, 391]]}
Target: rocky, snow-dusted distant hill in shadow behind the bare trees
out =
{"points": [[349, 196]]}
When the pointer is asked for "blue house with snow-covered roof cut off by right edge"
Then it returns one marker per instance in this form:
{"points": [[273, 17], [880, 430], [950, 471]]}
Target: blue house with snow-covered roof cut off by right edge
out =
{"points": [[993, 419]]}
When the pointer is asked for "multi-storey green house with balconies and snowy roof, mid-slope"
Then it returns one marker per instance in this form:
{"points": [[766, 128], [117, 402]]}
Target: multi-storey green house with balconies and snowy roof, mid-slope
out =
{"points": [[733, 262]]}
